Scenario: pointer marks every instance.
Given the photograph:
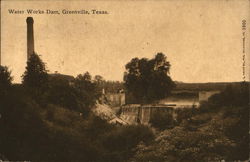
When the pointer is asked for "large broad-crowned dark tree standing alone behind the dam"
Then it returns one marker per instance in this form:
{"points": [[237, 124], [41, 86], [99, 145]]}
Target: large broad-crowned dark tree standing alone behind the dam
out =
{"points": [[148, 80]]}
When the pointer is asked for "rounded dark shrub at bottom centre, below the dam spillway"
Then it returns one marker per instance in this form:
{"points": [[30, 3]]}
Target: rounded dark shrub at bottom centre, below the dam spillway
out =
{"points": [[121, 142]]}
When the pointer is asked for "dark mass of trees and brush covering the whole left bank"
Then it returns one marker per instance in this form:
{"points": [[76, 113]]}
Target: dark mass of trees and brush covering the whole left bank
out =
{"points": [[49, 118]]}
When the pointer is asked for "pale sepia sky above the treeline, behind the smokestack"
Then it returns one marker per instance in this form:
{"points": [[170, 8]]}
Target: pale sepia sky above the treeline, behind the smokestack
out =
{"points": [[202, 39]]}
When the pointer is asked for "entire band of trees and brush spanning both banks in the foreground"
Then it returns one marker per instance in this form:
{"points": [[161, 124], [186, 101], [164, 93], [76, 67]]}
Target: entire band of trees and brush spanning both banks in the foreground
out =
{"points": [[46, 119]]}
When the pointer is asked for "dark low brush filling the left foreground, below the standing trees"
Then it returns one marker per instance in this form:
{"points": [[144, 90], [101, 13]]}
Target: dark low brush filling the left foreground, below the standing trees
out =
{"points": [[30, 131]]}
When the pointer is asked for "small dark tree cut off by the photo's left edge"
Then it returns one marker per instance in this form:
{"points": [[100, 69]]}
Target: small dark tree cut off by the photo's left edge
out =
{"points": [[5, 78]]}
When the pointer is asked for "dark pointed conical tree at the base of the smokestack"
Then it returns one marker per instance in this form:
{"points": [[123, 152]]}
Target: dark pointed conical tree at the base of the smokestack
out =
{"points": [[36, 75]]}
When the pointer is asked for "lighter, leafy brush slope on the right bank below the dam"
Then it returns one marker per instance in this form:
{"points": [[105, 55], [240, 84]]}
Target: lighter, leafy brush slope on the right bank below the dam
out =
{"points": [[218, 130]]}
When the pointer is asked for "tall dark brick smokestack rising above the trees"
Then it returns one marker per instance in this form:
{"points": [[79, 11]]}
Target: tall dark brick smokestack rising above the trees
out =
{"points": [[30, 37]]}
